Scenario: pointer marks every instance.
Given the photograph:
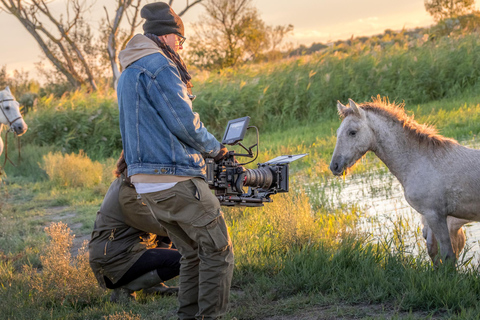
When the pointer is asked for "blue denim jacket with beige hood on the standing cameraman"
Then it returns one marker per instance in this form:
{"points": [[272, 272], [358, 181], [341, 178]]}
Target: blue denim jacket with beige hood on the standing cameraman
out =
{"points": [[160, 132]]}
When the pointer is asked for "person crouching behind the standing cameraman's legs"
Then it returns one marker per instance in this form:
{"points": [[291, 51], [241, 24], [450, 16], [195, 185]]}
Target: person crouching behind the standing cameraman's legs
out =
{"points": [[126, 258]]}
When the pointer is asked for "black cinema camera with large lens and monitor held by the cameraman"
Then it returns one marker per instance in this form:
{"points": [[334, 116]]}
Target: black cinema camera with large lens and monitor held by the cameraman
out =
{"points": [[228, 177]]}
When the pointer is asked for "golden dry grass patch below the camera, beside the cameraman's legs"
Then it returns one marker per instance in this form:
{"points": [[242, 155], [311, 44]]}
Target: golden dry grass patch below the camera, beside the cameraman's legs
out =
{"points": [[287, 222]]}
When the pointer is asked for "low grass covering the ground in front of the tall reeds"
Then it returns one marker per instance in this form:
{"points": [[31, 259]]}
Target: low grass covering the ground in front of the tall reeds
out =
{"points": [[303, 251]]}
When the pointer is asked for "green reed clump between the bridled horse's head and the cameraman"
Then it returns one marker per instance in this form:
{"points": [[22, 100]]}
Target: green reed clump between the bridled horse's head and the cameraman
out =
{"points": [[79, 121]]}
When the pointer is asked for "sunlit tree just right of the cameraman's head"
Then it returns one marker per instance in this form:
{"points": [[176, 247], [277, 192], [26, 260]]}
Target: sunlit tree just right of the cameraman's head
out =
{"points": [[231, 32]]}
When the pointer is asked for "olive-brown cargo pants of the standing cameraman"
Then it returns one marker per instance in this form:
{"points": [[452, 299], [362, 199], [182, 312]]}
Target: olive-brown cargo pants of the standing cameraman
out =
{"points": [[192, 216]]}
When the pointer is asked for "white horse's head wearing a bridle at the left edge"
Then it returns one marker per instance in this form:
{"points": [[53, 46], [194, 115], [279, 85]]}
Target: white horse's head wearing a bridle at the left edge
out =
{"points": [[10, 115]]}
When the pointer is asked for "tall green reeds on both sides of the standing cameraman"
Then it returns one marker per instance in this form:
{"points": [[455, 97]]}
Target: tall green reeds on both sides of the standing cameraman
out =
{"points": [[282, 94]]}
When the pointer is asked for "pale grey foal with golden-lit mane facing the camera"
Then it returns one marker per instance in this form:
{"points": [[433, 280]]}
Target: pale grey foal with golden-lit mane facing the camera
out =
{"points": [[440, 177]]}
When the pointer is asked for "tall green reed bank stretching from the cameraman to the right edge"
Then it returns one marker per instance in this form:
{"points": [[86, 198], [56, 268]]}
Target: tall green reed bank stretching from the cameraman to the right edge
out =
{"points": [[305, 89]]}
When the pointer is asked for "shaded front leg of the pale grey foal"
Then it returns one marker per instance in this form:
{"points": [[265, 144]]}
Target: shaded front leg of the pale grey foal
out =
{"points": [[439, 227]]}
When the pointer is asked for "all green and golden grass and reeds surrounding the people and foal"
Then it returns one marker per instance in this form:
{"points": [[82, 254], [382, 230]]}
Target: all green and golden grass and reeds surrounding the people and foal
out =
{"points": [[305, 255]]}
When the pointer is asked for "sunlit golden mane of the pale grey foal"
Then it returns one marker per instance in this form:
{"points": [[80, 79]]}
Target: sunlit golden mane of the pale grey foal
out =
{"points": [[424, 134]]}
